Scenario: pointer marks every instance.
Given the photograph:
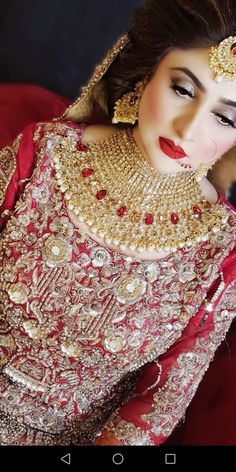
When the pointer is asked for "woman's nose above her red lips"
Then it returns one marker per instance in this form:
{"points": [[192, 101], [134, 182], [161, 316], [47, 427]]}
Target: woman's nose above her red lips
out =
{"points": [[187, 126]]}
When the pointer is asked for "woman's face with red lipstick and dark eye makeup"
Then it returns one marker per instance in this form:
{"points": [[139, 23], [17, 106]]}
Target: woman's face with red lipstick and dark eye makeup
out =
{"points": [[183, 106]]}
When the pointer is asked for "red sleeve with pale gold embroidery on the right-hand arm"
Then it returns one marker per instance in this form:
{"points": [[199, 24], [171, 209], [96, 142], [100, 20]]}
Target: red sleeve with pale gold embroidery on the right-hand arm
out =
{"points": [[167, 386]]}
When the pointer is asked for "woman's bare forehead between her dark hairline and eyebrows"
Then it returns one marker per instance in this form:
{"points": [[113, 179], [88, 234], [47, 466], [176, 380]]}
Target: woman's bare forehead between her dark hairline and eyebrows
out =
{"points": [[197, 61]]}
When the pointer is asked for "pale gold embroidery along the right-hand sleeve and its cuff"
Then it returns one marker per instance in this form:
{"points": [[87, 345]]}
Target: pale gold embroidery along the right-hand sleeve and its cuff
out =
{"points": [[171, 401]]}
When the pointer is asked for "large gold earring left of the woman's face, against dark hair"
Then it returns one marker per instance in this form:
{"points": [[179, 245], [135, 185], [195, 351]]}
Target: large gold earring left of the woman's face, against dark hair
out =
{"points": [[126, 108]]}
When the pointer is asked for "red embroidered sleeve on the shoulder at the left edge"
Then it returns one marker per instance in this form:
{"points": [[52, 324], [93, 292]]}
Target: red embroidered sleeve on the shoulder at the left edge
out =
{"points": [[16, 167]]}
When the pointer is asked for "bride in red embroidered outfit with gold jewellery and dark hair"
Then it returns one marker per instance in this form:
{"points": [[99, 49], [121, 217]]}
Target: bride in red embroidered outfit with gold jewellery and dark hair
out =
{"points": [[117, 253]]}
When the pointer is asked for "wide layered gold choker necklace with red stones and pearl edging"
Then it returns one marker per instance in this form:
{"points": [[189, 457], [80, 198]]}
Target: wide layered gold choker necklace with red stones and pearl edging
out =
{"points": [[111, 187]]}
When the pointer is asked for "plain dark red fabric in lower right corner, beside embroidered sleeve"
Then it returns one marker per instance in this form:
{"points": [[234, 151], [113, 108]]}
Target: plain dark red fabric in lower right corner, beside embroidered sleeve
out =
{"points": [[210, 418]]}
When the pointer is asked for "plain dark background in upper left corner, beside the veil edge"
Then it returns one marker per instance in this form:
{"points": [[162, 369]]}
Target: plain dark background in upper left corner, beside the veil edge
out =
{"points": [[57, 43]]}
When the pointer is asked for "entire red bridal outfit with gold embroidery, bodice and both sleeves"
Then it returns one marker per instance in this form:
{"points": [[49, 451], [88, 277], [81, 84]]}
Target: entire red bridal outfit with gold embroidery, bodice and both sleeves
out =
{"points": [[93, 340]]}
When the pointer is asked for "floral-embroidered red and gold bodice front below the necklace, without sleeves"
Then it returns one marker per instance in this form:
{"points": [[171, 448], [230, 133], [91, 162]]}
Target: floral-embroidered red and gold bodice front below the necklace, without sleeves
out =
{"points": [[77, 316]]}
